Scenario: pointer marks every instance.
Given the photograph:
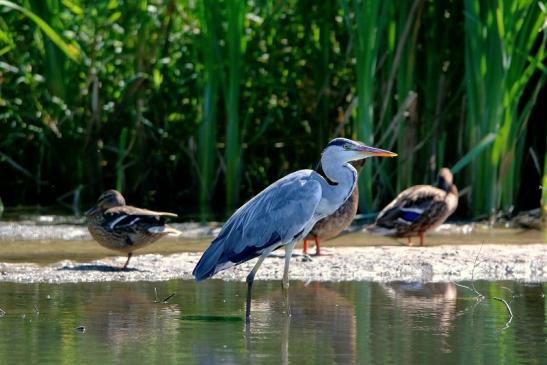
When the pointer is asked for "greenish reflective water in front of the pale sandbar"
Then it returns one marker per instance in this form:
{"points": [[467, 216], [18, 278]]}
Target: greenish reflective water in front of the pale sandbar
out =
{"points": [[348, 322]]}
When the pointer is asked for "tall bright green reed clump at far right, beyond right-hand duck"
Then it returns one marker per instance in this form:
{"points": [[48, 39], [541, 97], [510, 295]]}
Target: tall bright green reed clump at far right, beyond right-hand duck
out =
{"points": [[500, 63]]}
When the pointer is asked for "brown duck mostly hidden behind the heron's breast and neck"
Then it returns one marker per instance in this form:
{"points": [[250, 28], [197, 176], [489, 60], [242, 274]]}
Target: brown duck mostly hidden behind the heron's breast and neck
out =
{"points": [[331, 226]]}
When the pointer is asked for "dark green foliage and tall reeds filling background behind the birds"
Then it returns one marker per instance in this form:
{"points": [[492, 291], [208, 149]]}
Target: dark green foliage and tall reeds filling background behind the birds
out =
{"points": [[195, 106]]}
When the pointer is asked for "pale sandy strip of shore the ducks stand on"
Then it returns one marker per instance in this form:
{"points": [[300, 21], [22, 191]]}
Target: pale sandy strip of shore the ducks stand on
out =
{"points": [[526, 263]]}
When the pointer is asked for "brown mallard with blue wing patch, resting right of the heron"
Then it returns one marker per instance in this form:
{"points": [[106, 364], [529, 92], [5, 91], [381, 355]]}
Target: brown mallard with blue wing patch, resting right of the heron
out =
{"points": [[418, 209]]}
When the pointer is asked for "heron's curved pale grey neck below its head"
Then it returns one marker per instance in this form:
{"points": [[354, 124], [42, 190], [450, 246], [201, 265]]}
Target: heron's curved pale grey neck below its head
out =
{"points": [[340, 181]]}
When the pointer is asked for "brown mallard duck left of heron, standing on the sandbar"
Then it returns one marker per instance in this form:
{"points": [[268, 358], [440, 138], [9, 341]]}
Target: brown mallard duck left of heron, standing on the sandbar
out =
{"points": [[125, 228]]}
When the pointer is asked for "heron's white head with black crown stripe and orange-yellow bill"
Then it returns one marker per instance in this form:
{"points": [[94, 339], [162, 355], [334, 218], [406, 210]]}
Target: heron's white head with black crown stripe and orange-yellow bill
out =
{"points": [[346, 150]]}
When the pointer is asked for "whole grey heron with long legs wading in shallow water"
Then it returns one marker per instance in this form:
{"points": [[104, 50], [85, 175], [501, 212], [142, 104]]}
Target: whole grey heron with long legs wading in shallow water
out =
{"points": [[284, 213]]}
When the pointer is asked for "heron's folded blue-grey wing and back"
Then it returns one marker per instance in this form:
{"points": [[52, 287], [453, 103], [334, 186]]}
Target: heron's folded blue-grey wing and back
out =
{"points": [[272, 218]]}
